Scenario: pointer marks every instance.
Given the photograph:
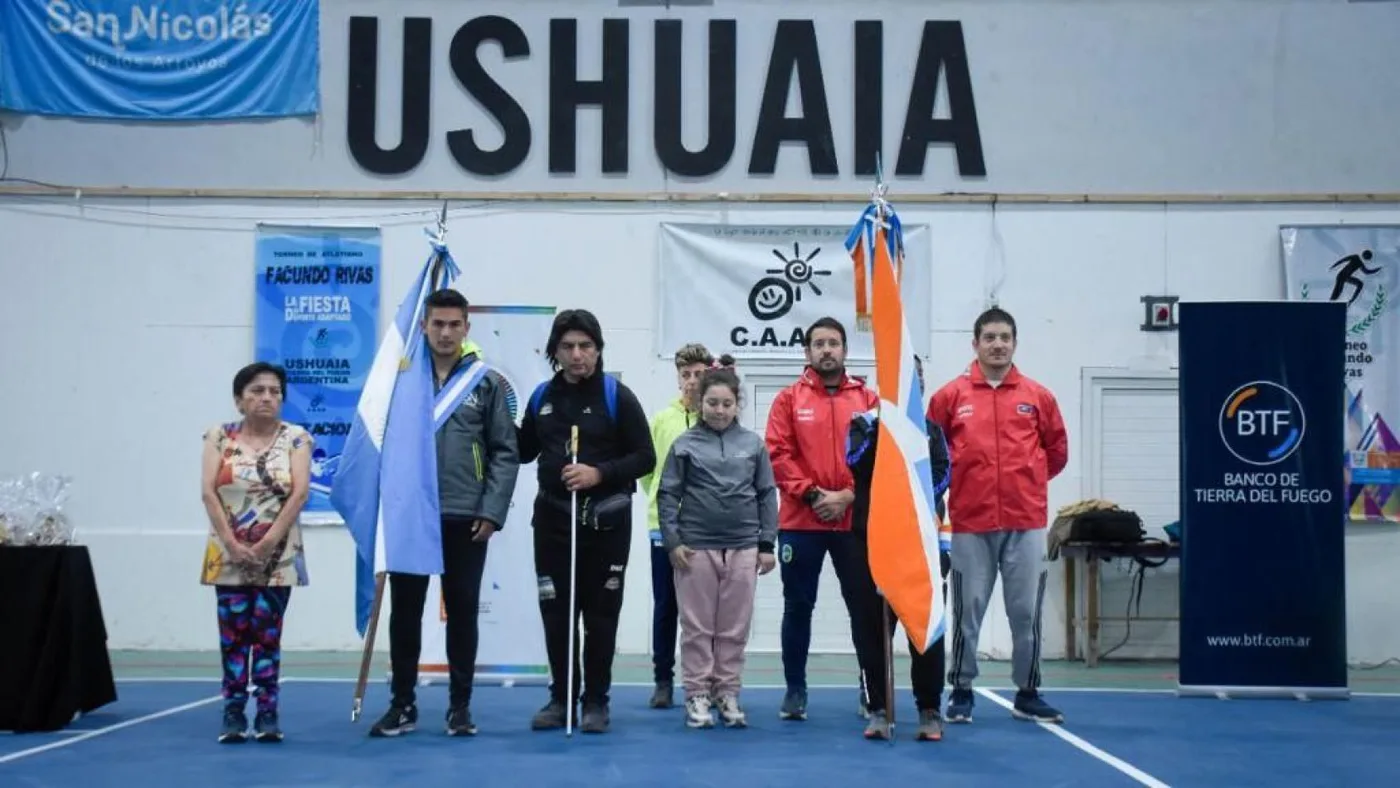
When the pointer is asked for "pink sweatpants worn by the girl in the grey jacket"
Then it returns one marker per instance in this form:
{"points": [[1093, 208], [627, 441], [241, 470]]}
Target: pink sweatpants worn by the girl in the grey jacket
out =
{"points": [[716, 600]]}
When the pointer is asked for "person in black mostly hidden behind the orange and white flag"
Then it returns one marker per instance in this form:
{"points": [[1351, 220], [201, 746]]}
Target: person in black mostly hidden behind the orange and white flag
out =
{"points": [[926, 671]]}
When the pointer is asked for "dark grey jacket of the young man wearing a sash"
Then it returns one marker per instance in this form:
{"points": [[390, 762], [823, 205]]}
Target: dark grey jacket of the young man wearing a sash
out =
{"points": [[477, 454]]}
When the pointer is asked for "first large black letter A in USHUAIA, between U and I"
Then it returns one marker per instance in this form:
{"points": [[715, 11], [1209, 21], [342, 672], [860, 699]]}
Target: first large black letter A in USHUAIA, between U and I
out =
{"points": [[794, 50]]}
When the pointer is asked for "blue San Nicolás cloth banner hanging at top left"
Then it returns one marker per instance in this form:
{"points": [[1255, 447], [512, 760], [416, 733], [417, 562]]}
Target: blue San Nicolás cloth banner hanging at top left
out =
{"points": [[167, 61]]}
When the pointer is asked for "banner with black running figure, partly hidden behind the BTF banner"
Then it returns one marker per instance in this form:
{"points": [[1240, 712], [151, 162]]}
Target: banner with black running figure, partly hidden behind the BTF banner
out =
{"points": [[1360, 267]]}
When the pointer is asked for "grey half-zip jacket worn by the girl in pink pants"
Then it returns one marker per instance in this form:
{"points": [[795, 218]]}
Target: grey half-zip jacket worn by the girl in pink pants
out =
{"points": [[717, 492]]}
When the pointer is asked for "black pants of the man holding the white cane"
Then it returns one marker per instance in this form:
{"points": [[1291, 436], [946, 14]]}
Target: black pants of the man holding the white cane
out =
{"points": [[603, 565]]}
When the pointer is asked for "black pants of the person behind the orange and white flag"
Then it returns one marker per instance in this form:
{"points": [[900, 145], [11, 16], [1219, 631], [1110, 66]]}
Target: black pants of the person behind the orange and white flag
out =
{"points": [[926, 671]]}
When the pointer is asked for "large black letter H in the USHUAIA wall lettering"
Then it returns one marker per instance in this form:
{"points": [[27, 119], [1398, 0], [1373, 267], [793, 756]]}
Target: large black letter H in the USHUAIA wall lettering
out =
{"points": [[568, 93]]}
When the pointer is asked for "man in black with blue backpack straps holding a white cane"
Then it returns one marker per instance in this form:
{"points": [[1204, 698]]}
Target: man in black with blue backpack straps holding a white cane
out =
{"points": [[614, 453]]}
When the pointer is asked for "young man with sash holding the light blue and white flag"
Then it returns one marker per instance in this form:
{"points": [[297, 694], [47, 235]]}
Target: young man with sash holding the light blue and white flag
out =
{"points": [[477, 470]]}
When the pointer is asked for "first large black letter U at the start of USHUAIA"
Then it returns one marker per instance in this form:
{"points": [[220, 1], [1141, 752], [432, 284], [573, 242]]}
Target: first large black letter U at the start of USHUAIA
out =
{"points": [[363, 99]]}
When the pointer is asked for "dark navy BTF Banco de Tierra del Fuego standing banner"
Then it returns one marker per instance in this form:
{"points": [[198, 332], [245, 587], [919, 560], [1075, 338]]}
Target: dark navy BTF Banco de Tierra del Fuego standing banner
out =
{"points": [[1263, 507]]}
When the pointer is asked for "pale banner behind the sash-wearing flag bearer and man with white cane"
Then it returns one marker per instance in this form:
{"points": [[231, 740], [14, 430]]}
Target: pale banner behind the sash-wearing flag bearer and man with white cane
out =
{"points": [[512, 646]]}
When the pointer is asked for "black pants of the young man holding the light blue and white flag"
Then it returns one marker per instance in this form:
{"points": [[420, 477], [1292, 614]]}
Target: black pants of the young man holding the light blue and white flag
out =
{"points": [[464, 562]]}
